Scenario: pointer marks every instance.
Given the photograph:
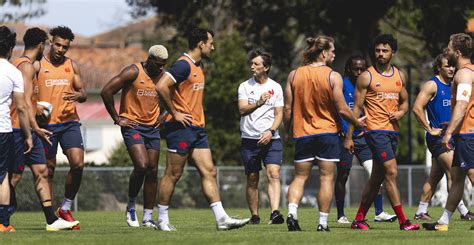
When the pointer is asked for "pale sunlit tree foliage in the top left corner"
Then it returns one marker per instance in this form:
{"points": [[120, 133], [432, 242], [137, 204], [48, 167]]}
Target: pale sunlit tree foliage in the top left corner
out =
{"points": [[19, 10]]}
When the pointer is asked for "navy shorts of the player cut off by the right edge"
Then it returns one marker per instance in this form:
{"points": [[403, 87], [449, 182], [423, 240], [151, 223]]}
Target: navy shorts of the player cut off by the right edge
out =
{"points": [[464, 153]]}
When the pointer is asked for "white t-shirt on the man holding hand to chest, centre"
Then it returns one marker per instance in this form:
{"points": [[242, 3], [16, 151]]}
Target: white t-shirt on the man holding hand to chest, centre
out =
{"points": [[253, 125]]}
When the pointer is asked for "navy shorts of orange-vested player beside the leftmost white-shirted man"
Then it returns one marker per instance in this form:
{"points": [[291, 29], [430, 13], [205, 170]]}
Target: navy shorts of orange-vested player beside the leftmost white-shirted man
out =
{"points": [[36, 156]]}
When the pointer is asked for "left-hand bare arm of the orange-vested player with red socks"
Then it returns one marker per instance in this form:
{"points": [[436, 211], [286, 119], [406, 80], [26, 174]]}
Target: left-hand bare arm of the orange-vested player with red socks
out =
{"points": [[362, 84]]}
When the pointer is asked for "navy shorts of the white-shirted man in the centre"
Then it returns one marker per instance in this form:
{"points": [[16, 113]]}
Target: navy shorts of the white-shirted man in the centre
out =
{"points": [[253, 154]]}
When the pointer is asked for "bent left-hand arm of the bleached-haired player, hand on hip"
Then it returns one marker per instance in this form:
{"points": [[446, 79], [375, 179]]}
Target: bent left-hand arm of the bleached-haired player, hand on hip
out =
{"points": [[126, 76]]}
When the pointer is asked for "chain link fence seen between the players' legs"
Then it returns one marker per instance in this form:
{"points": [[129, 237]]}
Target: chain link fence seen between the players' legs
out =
{"points": [[106, 188]]}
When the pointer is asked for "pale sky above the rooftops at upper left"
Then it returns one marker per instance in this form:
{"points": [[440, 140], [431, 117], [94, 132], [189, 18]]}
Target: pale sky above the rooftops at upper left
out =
{"points": [[85, 17]]}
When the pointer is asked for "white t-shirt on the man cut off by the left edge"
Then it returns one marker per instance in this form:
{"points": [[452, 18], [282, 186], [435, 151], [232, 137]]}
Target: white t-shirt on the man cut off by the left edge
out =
{"points": [[11, 80]]}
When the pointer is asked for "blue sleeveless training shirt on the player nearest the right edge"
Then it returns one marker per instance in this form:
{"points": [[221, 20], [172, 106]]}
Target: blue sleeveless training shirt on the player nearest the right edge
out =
{"points": [[439, 108]]}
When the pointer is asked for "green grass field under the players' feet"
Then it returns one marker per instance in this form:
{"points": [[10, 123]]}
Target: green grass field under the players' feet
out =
{"points": [[197, 226]]}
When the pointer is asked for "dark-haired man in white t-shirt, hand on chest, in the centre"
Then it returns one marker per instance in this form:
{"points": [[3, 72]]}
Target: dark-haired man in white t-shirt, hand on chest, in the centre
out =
{"points": [[261, 111]]}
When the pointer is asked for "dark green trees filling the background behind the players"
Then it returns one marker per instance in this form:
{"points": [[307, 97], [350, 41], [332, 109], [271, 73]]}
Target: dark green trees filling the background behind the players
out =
{"points": [[280, 26]]}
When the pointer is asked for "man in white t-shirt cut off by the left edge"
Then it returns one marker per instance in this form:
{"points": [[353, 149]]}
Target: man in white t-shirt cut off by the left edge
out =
{"points": [[11, 85]]}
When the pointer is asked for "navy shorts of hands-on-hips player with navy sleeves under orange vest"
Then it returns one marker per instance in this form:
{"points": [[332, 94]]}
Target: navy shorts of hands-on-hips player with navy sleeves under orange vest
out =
{"points": [[182, 140]]}
